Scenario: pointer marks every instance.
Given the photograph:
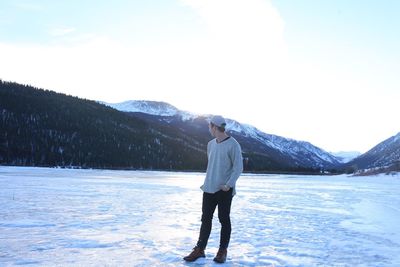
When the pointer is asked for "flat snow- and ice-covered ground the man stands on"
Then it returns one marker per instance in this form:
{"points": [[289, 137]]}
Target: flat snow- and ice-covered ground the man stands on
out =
{"points": [[59, 217]]}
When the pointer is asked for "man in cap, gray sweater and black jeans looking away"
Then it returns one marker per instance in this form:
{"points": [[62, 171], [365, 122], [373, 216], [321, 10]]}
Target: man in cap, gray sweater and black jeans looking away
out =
{"points": [[224, 167]]}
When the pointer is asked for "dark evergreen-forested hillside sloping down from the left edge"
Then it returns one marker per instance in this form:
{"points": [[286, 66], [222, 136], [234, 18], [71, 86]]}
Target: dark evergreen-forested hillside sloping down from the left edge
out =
{"points": [[44, 128]]}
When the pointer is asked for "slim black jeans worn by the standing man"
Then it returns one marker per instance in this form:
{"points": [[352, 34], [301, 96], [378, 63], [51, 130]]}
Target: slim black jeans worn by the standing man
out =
{"points": [[210, 201]]}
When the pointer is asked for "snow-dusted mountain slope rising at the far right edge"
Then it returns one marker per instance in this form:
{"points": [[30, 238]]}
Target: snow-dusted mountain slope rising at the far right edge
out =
{"points": [[384, 154]]}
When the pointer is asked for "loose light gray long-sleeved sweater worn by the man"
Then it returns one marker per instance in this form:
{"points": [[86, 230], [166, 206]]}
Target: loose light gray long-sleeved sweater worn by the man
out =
{"points": [[225, 164]]}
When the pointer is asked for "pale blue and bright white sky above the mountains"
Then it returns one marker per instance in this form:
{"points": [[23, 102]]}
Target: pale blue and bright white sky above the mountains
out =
{"points": [[317, 71]]}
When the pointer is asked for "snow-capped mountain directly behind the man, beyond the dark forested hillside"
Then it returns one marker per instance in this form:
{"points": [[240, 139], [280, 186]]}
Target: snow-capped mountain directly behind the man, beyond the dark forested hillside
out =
{"points": [[275, 150]]}
